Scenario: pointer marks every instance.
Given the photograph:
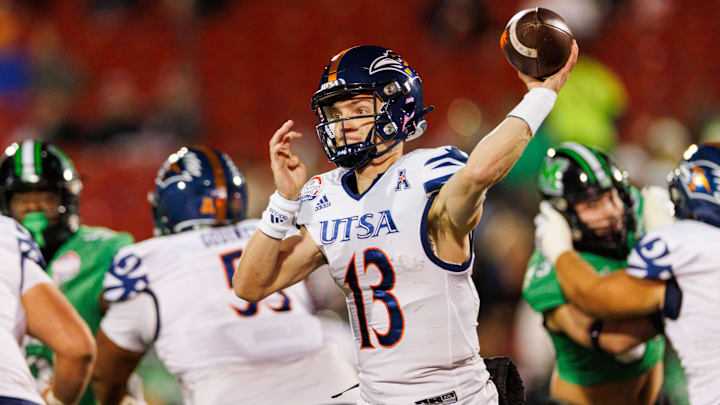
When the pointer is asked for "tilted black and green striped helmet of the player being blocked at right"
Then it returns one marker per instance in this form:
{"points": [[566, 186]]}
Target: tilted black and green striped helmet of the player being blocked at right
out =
{"points": [[572, 173]]}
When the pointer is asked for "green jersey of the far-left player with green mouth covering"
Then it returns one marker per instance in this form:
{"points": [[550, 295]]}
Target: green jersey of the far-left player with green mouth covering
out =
{"points": [[78, 269]]}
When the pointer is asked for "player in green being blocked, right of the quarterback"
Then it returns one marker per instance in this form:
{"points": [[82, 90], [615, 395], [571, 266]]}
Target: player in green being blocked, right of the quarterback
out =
{"points": [[612, 362]]}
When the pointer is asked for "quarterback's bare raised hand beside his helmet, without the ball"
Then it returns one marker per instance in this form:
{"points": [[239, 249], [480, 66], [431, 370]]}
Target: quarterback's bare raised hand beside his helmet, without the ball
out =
{"points": [[289, 171]]}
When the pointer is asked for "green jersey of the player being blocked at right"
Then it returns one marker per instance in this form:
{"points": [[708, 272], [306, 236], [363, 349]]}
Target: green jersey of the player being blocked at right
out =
{"points": [[575, 363]]}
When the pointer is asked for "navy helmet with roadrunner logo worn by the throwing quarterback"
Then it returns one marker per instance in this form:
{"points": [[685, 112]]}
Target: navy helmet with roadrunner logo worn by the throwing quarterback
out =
{"points": [[391, 81]]}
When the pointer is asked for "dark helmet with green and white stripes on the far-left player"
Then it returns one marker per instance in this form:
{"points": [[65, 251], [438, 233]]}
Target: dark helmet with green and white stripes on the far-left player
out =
{"points": [[39, 166]]}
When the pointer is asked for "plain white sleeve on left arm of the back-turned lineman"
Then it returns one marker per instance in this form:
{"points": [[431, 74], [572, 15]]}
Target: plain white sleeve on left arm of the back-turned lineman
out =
{"points": [[132, 324]]}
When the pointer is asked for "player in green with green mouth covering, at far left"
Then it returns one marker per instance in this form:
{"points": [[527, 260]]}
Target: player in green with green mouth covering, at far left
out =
{"points": [[39, 188]]}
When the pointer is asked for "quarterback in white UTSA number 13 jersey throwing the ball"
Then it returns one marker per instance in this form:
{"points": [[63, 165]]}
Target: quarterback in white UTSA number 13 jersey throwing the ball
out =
{"points": [[395, 229]]}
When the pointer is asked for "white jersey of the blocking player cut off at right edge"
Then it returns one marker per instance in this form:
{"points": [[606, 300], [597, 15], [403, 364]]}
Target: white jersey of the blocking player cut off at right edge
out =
{"points": [[686, 256]]}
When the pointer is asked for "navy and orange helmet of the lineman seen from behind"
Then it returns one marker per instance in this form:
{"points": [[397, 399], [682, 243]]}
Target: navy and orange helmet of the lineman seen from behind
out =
{"points": [[197, 187]]}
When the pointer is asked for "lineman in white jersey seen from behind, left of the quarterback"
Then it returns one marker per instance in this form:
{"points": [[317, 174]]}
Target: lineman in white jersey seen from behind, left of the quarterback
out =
{"points": [[174, 292]]}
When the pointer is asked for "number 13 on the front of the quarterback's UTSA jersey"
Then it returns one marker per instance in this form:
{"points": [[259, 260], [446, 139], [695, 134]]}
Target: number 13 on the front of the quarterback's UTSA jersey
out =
{"points": [[380, 292]]}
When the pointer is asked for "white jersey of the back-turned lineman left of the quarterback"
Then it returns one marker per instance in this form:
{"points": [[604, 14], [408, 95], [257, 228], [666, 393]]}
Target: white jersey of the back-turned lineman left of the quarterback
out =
{"points": [[176, 292]]}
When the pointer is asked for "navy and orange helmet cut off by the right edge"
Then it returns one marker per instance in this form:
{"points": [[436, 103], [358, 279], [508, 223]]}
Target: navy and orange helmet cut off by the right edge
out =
{"points": [[695, 184]]}
